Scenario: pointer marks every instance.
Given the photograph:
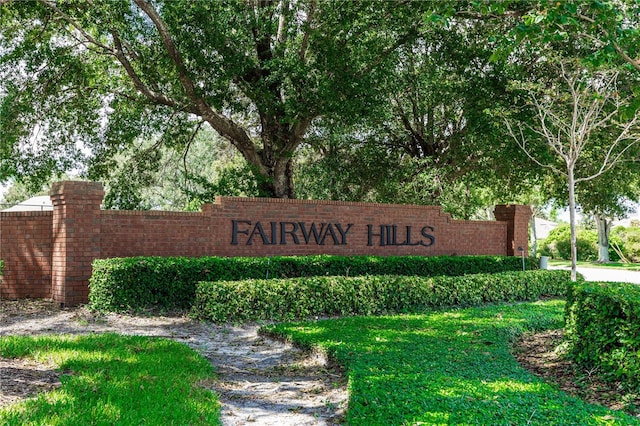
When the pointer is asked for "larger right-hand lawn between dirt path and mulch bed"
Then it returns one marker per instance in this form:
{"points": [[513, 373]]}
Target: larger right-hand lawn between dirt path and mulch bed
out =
{"points": [[449, 367]]}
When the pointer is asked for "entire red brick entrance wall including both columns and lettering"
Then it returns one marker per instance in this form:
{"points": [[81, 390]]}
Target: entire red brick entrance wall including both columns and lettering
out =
{"points": [[49, 254]]}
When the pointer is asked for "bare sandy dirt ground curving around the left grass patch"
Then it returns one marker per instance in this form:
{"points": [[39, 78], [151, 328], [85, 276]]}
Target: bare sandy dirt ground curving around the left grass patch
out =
{"points": [[261, 381]]}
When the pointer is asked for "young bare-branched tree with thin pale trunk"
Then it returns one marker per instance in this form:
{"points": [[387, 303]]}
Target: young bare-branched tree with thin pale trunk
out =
{"points": [[586, 126]]}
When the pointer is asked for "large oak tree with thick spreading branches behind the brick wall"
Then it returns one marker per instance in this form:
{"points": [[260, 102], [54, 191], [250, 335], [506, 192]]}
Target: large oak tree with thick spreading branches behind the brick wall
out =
{"points": [[257, 71]]}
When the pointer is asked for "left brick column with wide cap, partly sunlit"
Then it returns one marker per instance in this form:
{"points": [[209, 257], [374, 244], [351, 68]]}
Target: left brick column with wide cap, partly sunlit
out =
{"points": [[76, 238]]}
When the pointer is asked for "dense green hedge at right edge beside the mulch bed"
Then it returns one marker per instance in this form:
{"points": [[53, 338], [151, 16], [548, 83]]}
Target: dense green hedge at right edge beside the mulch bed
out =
{"points": [[603, 329]]}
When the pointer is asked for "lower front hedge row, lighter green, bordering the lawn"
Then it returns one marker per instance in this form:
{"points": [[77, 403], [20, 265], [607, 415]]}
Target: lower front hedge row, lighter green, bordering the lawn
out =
{"points": [[300, 298]]}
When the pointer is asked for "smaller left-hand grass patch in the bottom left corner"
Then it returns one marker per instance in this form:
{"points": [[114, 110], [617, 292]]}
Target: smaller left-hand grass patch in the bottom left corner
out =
{"points": [[110, 379]]}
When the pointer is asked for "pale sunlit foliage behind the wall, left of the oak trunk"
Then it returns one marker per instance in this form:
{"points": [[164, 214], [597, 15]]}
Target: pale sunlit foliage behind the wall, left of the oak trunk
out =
{"points": [[147, 177]]}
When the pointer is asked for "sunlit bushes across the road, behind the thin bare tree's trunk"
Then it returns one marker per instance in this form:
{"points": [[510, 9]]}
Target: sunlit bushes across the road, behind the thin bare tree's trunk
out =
{"points": [[558, 244]]}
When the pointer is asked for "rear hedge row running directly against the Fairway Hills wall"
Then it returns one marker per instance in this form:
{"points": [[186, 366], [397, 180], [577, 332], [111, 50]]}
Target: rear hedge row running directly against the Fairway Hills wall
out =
{"points": [[138, 283]]}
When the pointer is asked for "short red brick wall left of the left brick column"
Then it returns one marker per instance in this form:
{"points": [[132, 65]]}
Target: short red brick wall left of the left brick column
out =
{"points": [[25, 247]]}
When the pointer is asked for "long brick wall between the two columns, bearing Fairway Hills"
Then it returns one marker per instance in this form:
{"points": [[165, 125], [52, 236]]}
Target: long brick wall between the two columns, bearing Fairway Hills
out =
{"points": [[127, 233]]}
